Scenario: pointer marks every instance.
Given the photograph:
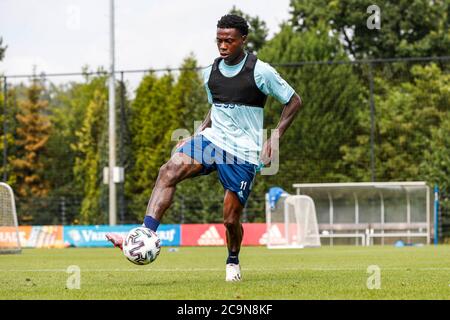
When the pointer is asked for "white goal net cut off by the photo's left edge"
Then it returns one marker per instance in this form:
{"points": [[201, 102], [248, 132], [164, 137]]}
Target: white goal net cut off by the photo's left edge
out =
{"points": [[9, 230]]}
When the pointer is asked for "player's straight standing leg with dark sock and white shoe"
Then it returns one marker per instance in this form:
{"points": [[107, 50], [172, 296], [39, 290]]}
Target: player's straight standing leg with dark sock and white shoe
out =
{"points": [[232, 210]]}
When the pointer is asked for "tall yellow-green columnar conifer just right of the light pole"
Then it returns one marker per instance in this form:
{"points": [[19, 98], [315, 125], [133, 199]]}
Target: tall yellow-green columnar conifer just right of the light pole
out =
{"points": [[151, 120]]}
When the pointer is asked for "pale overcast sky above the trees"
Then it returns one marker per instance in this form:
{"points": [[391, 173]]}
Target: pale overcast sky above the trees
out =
{"points": [[56, 36]]}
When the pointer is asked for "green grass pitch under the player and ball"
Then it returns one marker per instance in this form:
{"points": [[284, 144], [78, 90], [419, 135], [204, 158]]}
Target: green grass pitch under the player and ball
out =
{"points": [[339, 272]]}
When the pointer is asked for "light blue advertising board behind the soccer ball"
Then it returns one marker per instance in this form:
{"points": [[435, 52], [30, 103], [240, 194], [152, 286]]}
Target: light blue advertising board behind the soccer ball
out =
{"points": [[95, 236]]}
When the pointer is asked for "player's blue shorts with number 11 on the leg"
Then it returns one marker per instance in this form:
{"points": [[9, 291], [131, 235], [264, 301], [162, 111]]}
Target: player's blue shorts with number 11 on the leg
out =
{"points": [[235, 174]]}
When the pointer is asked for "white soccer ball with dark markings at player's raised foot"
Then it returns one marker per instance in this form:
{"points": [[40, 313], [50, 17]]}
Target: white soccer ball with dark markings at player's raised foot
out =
{"points": [[141, 246]]}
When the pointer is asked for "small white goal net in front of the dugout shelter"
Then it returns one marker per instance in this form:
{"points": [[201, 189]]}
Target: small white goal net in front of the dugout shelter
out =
{"points": [[292, 223]]}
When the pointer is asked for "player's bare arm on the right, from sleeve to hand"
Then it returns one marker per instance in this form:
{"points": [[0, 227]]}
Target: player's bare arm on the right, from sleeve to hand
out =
{"points": [[288, 115]]}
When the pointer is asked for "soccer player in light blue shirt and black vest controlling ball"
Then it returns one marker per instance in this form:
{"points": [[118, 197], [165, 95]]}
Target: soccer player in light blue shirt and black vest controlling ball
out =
{"points": [[230, 138]]}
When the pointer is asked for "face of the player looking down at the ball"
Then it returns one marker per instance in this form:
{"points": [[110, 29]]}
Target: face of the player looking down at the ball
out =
{"points": [[230, 43]]}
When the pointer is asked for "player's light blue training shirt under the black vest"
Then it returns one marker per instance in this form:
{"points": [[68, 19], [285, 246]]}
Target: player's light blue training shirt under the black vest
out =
{"points": [[238, 129]]}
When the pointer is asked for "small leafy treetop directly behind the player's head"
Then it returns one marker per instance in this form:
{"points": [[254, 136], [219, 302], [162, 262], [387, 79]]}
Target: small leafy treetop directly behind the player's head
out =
{"points": [[258, 30]]}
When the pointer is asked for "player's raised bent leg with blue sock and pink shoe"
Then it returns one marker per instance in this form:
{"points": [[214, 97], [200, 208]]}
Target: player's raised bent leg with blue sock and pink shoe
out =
{"points": [[179, 167]]}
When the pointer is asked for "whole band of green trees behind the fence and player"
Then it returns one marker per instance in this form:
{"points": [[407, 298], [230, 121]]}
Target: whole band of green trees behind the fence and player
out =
{"points": [[328, 142]]}
